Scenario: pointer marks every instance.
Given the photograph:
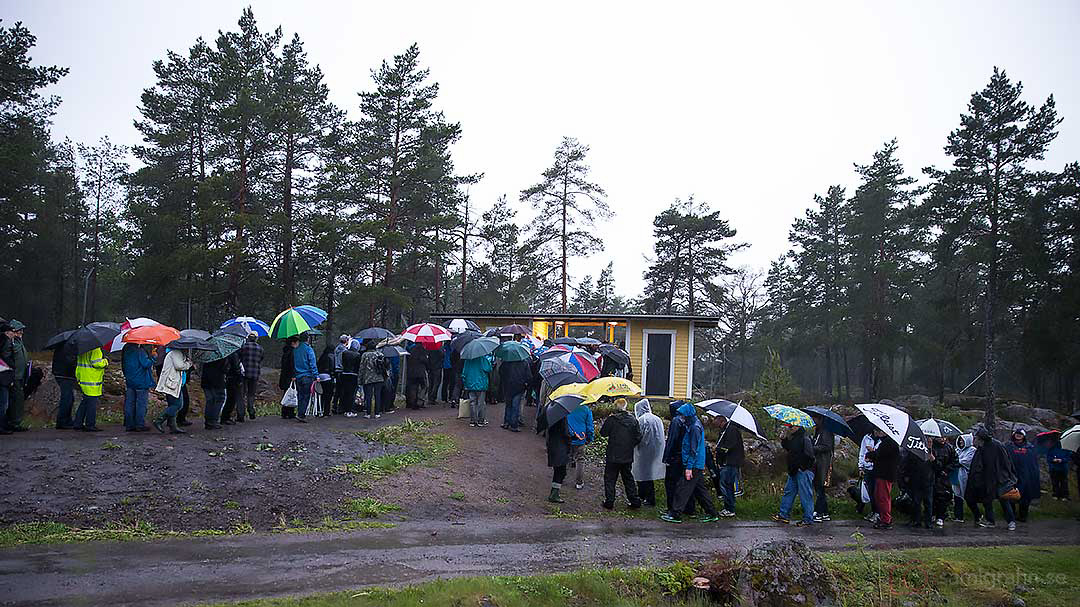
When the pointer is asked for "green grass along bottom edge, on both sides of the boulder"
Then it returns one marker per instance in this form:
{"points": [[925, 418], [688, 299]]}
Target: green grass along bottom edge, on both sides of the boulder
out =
{"points": [[961, 576]]}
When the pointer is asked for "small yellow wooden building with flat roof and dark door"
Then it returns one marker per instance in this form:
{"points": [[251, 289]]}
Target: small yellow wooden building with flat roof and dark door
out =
{"points": [[660, 347]]}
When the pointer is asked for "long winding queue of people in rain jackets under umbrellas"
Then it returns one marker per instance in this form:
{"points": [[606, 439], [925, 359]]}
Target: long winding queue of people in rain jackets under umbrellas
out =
{"points": [[360, 377]]}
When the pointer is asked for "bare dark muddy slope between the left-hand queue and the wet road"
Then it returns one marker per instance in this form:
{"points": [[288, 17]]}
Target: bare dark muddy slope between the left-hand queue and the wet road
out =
{"points": [[265, 473]]}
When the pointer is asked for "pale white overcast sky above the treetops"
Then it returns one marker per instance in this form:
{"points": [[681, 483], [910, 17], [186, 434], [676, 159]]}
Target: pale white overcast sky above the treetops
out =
{"points": [[750, 106]]}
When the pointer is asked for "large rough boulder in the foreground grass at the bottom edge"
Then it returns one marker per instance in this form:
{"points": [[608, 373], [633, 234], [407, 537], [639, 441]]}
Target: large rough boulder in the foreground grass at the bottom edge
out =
{"points": [[780, 574]]}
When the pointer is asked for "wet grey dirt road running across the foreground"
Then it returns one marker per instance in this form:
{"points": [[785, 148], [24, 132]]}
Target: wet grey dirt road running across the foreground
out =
{"points": [[233, 569]]}
